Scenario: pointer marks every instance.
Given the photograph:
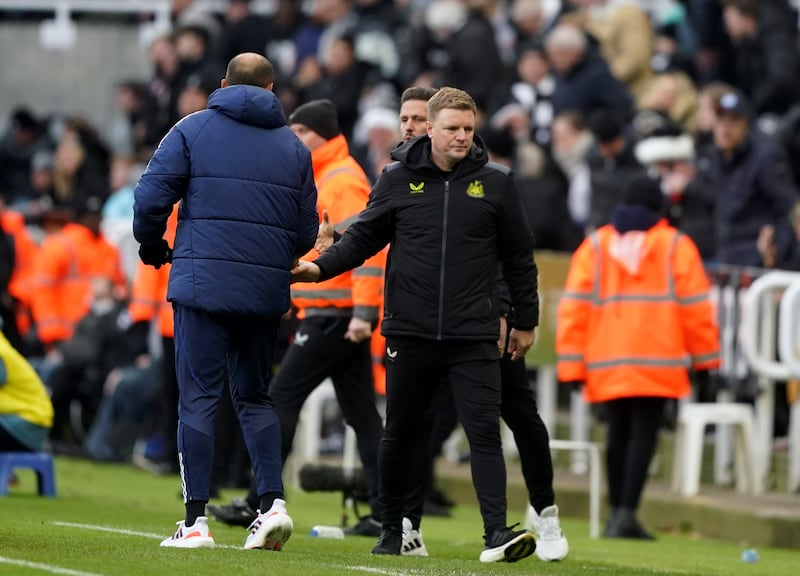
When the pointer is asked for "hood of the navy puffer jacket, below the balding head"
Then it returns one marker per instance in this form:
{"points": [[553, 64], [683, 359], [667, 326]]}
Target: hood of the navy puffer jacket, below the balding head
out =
{"points": [[249, 104]]}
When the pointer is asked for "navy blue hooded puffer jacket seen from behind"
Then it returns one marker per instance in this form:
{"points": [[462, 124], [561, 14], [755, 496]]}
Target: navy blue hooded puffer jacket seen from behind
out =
{"points": [[248, 204]]}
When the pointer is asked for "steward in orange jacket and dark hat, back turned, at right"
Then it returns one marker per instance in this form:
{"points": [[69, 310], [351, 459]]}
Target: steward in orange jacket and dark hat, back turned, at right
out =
{"points": [[634, 317]]}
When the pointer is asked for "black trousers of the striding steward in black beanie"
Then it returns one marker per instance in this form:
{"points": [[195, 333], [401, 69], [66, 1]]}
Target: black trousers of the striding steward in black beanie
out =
{"points": [[319, 351]]}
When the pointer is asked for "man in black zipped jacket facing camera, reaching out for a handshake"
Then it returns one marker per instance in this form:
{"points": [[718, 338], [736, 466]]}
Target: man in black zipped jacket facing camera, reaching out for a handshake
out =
{"points": [[450, 217]]}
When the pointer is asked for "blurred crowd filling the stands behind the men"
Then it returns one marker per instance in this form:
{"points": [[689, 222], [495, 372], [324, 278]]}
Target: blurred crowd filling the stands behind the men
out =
{"points": [[580, 97]]}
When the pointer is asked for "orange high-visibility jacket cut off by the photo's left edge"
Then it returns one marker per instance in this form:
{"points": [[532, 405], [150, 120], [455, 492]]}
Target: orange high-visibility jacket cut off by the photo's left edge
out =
{"points": [[20, 286]]}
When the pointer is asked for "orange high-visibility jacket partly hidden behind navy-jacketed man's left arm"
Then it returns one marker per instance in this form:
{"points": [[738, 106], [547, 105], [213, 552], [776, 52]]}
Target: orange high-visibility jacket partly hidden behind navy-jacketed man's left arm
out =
{"points": [[149, 291]]}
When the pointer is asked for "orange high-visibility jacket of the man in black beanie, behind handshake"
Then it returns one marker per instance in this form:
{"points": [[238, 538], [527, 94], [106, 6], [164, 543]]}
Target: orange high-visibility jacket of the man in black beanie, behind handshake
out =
{"points": [[342, 190]]}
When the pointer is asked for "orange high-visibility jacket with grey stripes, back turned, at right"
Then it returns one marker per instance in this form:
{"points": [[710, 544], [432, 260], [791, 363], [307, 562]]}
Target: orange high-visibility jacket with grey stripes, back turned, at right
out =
{"points": [[635, 315]]}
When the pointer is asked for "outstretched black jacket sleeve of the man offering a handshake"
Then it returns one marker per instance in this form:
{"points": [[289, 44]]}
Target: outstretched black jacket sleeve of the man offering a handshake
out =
{"points": [[371, 231]]}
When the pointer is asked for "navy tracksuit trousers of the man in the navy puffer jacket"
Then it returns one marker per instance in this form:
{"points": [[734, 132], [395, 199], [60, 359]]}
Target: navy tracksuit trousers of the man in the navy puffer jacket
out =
{"points": [[210, 349]]}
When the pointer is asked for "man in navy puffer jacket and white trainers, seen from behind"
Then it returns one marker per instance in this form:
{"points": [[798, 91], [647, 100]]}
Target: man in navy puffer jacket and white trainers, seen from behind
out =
{"points": [[248, 211]]}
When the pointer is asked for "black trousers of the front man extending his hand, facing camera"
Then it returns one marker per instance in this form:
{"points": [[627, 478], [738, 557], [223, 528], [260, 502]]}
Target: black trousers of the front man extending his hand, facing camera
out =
{"points": [[414, 367]]}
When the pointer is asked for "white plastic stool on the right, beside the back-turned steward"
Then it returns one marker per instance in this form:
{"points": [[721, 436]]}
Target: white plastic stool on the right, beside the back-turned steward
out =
{"points": [[692, 421]]}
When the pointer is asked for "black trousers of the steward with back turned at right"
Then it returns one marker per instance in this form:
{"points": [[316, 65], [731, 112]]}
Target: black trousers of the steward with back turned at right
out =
{"points": [[633, 425]]}
